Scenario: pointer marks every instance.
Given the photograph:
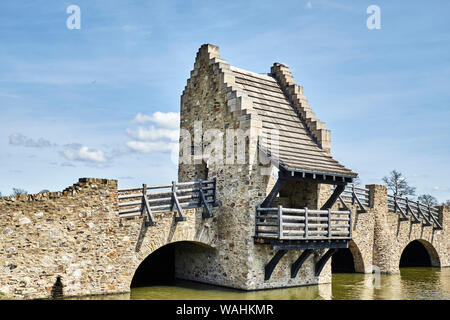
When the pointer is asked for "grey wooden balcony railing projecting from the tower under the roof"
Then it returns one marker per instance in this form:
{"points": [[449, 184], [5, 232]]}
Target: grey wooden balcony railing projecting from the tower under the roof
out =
{"points": [[303, 224]]}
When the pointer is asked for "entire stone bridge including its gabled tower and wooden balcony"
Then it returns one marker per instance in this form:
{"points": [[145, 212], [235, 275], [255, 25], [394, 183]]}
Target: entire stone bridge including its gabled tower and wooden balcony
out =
{"points": [[274, 220]]}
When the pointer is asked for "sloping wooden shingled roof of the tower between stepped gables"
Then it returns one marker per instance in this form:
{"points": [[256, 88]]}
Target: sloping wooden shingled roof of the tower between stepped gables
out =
{"points": [[298, 150]]}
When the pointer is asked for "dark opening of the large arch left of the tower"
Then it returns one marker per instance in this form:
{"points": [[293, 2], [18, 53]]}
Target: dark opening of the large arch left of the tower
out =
{"points": [[160, 267]]}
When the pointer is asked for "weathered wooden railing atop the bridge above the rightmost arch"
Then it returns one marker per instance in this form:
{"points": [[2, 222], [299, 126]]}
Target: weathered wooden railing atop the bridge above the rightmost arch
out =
{"points": [[415, 211]]}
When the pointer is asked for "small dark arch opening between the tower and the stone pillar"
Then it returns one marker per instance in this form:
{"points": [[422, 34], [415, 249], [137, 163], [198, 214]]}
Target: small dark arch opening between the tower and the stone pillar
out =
{"points": [[348, 260]]}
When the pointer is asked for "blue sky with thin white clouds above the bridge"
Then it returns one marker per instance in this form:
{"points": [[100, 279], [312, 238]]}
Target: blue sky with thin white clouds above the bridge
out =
{"points": [[68, 98]]}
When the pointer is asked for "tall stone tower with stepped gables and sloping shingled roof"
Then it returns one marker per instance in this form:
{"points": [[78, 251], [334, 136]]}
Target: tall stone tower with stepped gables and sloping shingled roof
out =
{"points": [[256, 134]]}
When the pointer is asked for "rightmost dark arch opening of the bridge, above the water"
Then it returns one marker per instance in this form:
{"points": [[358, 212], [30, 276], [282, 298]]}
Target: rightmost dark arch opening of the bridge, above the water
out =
{"points": [[412, 254]]}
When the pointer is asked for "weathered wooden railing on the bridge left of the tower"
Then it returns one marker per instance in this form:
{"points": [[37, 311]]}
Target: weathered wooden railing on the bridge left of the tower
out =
{"points": [[178, 197]]}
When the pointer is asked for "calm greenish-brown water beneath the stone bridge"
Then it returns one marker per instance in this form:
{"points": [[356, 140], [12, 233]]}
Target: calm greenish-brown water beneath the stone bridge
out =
{"points": [[411, 283]]}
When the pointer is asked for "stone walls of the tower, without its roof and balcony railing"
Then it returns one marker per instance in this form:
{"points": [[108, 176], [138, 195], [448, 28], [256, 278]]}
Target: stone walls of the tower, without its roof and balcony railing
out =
{"points": [[210, 98]]}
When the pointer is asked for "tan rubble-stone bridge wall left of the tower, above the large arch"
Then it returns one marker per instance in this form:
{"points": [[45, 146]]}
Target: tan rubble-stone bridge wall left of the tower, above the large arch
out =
{"points": [[77, 235]]}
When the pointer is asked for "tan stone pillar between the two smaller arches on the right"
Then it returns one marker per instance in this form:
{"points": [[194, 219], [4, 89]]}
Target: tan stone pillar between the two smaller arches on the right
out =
{"points": [[383, 240]]}
